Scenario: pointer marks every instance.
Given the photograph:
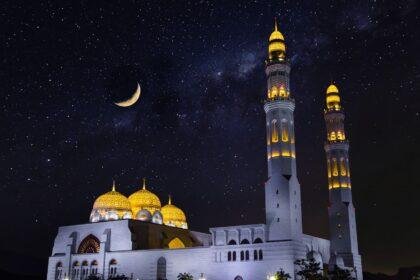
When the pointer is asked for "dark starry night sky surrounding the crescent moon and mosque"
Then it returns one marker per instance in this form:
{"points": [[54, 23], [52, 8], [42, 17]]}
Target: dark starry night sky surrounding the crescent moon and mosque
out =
{"points": [[198, 130]]}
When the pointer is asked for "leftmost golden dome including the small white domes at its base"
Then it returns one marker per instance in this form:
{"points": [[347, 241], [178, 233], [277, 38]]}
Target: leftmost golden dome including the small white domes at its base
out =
{"points": [[111, 206]]}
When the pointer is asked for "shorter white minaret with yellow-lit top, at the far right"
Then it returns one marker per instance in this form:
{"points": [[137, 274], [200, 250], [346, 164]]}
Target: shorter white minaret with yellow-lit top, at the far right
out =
{"points": [[343, 232]]}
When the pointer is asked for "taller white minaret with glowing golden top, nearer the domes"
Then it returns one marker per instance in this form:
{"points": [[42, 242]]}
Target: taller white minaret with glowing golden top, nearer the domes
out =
{"points": [[282, 190]]}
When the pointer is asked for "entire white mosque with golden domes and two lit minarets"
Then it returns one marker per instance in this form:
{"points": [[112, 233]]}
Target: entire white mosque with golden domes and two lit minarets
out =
{"points": [[141, 239]]}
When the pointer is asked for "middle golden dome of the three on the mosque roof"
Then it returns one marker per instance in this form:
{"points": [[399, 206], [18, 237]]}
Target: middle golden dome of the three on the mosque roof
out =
{"points": [[144, 199]]}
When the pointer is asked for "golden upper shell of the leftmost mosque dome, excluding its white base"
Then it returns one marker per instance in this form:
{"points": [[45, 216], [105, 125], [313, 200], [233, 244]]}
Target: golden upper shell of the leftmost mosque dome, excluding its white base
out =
{"points": [[113, 201]]}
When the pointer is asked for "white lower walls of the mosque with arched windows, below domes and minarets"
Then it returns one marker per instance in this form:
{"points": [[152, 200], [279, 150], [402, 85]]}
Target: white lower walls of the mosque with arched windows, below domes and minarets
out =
{"points": [[215, 258]]}
